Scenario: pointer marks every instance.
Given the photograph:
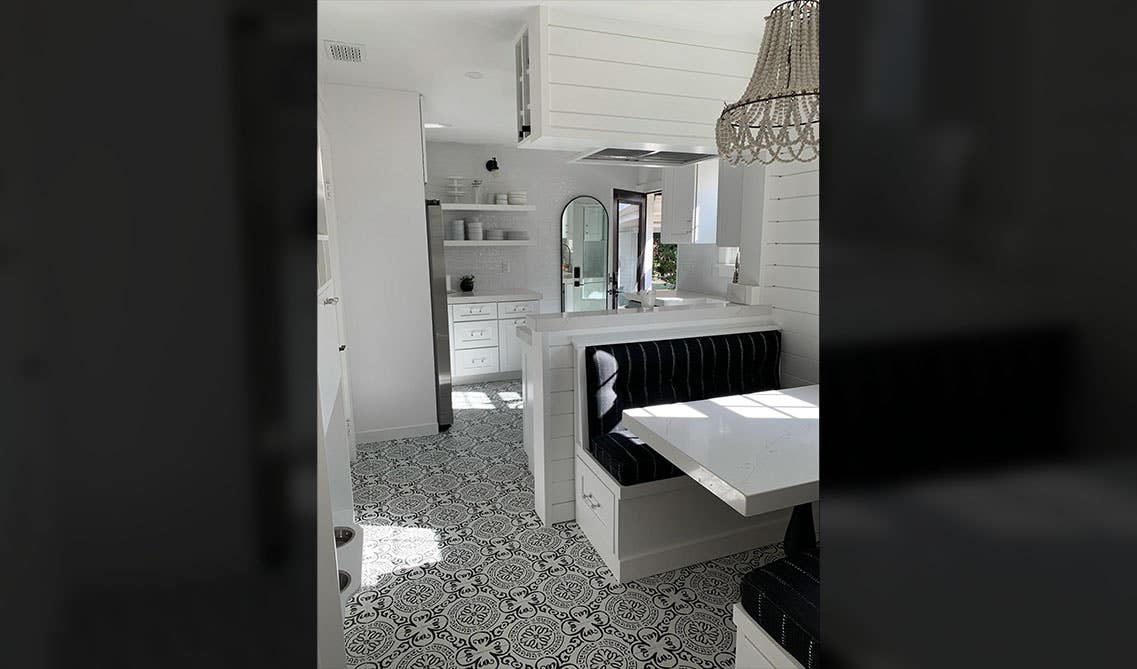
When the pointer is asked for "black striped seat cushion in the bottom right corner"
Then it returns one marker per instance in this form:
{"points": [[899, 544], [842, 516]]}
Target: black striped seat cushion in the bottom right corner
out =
{"points": [[784, 598]]}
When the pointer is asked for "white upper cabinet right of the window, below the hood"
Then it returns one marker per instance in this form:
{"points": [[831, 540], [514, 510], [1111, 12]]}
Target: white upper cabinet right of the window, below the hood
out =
{"points": [[691, 204]]}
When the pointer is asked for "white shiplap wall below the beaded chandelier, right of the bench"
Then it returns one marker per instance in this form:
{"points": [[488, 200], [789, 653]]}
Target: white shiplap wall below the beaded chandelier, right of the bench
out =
{"points": [[790, 275]]}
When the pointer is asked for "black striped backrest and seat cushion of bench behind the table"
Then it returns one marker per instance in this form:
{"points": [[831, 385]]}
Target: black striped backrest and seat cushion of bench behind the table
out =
{"points": [[642, 374]]}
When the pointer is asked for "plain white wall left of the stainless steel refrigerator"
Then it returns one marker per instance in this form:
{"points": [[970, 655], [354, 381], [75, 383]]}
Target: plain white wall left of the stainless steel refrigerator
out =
{"points": [[377, 162]]}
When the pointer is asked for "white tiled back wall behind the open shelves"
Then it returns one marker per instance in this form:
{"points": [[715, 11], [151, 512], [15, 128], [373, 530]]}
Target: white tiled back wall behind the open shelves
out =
{"points": [[551, 183]]}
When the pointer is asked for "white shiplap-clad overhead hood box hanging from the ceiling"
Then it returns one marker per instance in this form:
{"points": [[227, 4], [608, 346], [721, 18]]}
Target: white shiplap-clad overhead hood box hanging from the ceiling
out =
{"points": [[586, 82]]}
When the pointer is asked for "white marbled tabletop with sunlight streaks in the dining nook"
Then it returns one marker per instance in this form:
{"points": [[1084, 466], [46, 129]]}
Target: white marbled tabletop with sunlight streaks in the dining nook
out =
{"points": [[756, 452]]}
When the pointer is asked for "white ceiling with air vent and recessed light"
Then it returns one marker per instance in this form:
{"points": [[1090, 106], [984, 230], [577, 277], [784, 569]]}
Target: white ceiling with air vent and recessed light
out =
{"points": [[428, 46]]}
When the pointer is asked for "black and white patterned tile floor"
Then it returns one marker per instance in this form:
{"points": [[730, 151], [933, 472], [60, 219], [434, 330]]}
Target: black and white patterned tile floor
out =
{"points": [[459, 571]]}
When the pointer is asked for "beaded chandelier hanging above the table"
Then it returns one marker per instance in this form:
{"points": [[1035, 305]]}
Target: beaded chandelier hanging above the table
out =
{"points": [[777, 118]]}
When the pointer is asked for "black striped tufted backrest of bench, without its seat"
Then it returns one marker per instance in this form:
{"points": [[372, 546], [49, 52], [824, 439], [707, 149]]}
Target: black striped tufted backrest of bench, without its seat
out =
{"points": [[642, 374]]}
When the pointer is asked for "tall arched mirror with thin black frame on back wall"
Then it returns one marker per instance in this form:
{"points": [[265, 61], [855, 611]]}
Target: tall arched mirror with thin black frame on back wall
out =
{"points": [[584, 255]]}
